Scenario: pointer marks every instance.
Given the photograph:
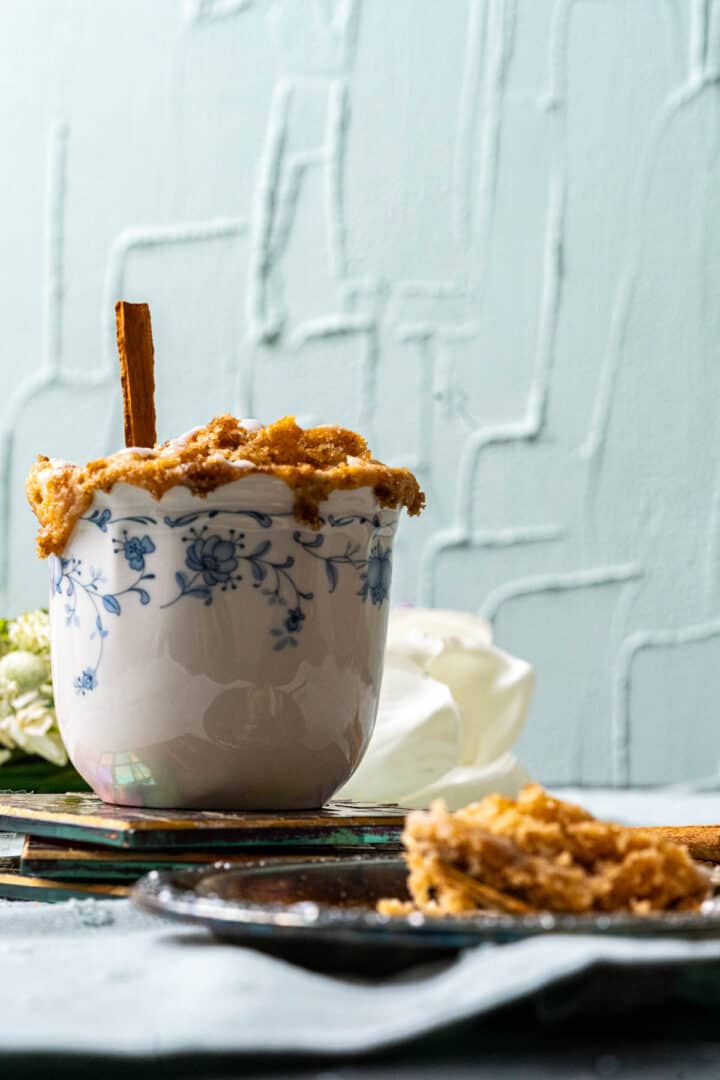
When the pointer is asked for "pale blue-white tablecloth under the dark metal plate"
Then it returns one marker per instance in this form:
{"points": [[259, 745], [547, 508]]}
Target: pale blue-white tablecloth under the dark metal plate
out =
{"points": [[91, 977]]}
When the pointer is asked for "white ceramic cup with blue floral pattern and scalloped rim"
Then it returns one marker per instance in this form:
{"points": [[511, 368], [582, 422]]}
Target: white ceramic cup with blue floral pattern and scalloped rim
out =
{"points": [[213, 653]]}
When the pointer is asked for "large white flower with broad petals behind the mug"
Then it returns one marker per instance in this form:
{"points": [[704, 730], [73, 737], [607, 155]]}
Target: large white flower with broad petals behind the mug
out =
{"points": [[452, 709]]}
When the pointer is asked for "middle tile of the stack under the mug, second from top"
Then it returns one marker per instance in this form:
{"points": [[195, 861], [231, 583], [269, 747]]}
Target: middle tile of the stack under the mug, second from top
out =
{"points": [[63, 862]]}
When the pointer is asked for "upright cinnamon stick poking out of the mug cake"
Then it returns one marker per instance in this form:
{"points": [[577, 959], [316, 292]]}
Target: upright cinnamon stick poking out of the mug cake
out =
{"points": [[137, 372]]}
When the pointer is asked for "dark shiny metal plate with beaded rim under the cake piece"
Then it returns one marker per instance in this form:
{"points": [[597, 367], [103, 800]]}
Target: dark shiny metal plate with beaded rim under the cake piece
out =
{"points": [[322, 914]]}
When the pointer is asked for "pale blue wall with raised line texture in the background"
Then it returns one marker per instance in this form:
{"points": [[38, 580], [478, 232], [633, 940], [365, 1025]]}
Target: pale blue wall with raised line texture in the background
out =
{"points": [[485, 233]]}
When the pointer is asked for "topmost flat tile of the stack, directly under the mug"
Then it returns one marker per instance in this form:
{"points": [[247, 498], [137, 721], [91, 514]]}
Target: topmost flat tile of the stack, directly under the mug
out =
{"points": [[86, 819]]}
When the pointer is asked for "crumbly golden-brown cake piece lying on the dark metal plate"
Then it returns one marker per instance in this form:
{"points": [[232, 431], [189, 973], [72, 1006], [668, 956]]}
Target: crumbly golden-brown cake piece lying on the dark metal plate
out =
{"points": [[539, 854]]}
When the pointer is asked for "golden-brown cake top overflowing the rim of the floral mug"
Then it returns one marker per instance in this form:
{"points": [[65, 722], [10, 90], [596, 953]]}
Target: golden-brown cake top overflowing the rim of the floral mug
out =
{"points": [[313, 462]]}
